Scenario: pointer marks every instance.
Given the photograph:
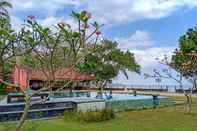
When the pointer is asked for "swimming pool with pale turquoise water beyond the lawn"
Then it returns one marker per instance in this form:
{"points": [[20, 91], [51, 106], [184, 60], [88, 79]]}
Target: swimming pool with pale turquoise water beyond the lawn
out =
{"points": [[120, 101]]}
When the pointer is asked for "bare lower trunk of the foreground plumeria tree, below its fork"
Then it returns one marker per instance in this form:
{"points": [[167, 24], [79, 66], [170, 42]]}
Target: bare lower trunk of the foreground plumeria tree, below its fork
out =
{"points": [[25, 113]]}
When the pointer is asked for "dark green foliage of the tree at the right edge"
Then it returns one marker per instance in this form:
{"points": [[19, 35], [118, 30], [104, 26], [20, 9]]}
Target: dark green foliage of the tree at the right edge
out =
{"points": [[184, 59]]}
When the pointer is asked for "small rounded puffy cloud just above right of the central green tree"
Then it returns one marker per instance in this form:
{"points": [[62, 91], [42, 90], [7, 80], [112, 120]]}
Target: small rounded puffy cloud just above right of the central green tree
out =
{"points": [[139, 40]]}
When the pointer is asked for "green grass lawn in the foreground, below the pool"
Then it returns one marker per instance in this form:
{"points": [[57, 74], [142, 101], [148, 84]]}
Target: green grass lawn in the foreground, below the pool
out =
{"points": [[161, 119]]}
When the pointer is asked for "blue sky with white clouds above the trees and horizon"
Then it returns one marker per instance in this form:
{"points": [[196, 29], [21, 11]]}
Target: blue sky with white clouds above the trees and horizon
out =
{"points": [[148, 28]]}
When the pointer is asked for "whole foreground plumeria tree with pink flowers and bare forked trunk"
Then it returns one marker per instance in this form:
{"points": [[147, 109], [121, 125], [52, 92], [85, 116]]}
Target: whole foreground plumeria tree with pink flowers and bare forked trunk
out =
{"points": [[52, 50]]}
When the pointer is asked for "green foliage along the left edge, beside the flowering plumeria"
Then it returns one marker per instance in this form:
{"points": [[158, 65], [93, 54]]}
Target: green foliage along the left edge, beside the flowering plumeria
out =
{"points": [[12, 42]]}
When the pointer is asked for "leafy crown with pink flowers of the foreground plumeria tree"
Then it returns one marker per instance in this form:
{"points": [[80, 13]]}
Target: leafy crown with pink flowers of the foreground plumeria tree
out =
{"points": [[66, 43]]}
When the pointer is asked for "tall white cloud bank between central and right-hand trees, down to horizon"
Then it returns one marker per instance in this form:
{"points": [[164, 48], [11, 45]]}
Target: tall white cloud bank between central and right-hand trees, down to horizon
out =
{"points": [[146, 51]]}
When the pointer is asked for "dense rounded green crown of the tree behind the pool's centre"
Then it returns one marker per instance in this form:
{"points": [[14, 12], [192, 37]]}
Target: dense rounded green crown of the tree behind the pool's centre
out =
{"points": [[107, 60]]}
